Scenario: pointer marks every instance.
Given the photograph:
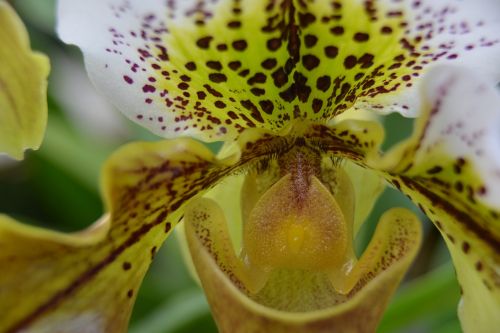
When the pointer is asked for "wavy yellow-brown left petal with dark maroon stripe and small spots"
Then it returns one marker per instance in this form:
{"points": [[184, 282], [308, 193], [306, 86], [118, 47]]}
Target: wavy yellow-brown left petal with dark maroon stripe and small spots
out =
{"points": [[87, 282]]}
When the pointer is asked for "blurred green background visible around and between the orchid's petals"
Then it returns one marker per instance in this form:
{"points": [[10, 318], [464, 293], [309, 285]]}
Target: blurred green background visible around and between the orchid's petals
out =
{"points": [[57, 187]]}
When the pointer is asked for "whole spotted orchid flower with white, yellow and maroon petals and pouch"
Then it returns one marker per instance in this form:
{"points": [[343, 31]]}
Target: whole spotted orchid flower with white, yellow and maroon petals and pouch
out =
{"points": [[281, 83]]}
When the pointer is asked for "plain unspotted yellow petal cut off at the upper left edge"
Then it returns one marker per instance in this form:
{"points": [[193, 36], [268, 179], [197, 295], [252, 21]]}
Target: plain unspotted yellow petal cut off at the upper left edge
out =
{"points": [[23, 87]]}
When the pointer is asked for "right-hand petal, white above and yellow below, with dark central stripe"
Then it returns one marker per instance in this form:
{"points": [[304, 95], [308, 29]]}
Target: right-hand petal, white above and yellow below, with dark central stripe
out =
{"points": [[451, 168]]}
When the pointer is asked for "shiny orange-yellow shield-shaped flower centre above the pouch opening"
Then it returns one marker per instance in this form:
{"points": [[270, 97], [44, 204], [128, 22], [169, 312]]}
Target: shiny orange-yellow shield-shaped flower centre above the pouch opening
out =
{"points": [[296, 223]]}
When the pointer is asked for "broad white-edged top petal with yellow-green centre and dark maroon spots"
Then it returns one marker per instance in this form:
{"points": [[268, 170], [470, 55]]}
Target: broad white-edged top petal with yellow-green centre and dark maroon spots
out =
{"points": [[212, 68]]}
